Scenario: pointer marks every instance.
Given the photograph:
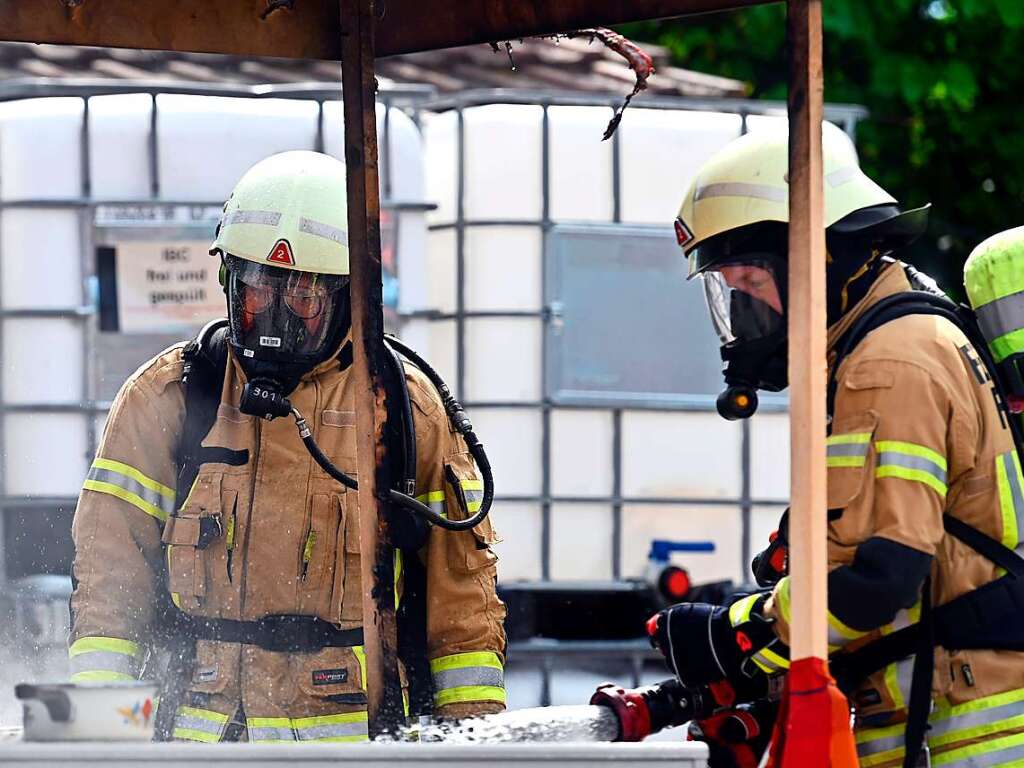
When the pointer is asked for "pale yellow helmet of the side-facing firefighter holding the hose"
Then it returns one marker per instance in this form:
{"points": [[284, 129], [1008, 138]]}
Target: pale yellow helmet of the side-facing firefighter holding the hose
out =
{"points": [[747, 184]]}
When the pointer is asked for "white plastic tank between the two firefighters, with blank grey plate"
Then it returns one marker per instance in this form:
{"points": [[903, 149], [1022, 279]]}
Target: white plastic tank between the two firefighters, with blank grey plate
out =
{"points": [[499, 150]]}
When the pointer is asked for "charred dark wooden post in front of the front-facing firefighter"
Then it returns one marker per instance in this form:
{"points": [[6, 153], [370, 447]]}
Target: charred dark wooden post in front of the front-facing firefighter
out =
{"points": [[359, 95]]}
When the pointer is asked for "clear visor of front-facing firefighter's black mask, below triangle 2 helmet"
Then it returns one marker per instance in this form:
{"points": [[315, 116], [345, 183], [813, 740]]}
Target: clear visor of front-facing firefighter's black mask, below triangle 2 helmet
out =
{"points": [[284, 315]]}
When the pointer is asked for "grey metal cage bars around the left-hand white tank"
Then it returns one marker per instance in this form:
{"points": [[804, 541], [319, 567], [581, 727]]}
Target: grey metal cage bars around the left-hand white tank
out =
{"points": [[400, 97]]}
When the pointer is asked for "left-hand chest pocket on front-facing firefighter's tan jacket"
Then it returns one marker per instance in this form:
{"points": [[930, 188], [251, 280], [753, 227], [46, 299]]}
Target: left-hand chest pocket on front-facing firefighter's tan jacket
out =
{"points": [[199, 543]]}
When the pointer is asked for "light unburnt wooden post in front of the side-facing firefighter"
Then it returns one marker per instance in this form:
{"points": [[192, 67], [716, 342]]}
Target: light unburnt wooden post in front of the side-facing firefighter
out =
{"points": [[808, 369]]}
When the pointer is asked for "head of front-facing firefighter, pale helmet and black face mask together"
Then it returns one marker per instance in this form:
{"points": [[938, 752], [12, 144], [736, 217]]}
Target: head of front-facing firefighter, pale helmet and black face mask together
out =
{"points": [[284, 244]]}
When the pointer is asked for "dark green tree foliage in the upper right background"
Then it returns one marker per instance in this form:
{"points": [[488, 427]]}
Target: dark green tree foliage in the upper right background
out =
{"points": [[944, 80]]}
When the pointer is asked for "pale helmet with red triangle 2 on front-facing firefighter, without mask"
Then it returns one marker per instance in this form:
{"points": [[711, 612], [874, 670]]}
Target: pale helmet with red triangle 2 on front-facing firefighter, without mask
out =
{"points": [[289, 211]]}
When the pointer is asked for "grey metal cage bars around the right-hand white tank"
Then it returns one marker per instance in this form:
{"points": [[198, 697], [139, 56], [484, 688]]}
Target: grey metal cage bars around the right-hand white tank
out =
{"points": [[547, 654]]}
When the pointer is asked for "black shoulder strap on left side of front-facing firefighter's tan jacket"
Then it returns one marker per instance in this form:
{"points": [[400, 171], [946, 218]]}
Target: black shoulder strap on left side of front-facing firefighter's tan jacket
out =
{"points": [[205, 363]]}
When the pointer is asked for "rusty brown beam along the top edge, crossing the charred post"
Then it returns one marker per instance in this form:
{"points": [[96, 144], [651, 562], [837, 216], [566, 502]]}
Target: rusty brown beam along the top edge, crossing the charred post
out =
{"points": [[311, 29]]}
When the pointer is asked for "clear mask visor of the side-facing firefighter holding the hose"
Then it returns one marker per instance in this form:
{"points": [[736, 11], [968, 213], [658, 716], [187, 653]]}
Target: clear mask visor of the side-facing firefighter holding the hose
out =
{"points": [[745, 301]]}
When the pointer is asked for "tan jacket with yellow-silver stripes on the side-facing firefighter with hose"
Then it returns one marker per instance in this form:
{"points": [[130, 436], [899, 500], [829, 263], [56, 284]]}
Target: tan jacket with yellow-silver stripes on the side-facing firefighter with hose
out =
{"points": [[917, 434]]}
